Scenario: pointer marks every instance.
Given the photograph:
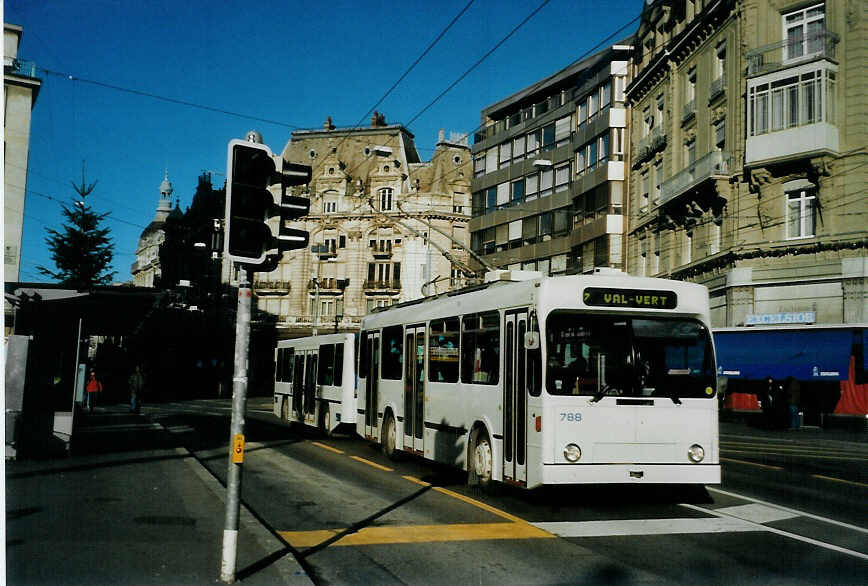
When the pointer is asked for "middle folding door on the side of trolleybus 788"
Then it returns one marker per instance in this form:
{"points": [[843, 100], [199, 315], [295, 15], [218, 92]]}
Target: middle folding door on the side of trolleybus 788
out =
{"points": [[414, 388]]}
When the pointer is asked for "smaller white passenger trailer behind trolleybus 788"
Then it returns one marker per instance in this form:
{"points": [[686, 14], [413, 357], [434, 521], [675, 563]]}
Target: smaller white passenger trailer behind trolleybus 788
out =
{"points": [[315, 381]]}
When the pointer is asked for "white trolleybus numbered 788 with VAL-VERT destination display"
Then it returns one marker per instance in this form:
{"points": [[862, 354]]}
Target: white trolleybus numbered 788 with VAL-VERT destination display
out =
{"points": [[601, 378]]}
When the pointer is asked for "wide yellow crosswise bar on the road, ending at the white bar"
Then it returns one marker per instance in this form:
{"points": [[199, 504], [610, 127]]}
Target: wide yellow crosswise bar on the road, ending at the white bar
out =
{"points": [[417, 534]]}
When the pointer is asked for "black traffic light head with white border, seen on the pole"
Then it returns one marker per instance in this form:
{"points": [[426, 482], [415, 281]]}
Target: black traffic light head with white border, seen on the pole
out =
{"points": [[250, 170]]}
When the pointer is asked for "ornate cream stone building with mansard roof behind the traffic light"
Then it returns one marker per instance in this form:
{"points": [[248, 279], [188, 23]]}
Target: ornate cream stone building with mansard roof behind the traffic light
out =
{"points": [[384, 226]]}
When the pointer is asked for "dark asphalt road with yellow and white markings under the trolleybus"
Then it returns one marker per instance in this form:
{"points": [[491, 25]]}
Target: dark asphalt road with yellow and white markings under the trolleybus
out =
{"points": [[791, 509]]}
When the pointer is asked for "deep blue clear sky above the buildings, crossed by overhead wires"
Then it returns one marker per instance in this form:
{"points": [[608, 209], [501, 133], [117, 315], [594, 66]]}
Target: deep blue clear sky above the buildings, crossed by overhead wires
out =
{"points": [[289, 62]]}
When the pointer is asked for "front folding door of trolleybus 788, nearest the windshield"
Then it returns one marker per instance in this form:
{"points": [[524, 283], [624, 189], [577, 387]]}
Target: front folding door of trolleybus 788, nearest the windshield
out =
{"points": [[515, 398]]}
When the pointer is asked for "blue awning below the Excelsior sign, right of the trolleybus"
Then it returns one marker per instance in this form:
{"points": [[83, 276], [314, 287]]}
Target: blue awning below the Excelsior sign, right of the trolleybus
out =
{"points": [[807, 354]]}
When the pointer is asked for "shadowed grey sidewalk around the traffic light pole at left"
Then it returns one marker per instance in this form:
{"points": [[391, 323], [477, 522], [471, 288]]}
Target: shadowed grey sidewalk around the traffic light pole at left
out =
{"points": [[128, 506]]}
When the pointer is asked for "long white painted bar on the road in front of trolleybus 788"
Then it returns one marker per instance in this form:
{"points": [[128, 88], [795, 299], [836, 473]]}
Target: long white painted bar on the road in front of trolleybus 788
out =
{"points": [[645, 527]]}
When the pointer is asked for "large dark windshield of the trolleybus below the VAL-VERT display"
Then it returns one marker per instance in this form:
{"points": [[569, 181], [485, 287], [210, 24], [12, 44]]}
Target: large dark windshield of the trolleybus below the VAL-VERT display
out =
{"points": [[621, 355]]}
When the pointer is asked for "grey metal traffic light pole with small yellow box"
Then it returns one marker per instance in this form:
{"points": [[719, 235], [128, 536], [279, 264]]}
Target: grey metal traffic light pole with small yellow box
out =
{"points": [[236, 445]]}
